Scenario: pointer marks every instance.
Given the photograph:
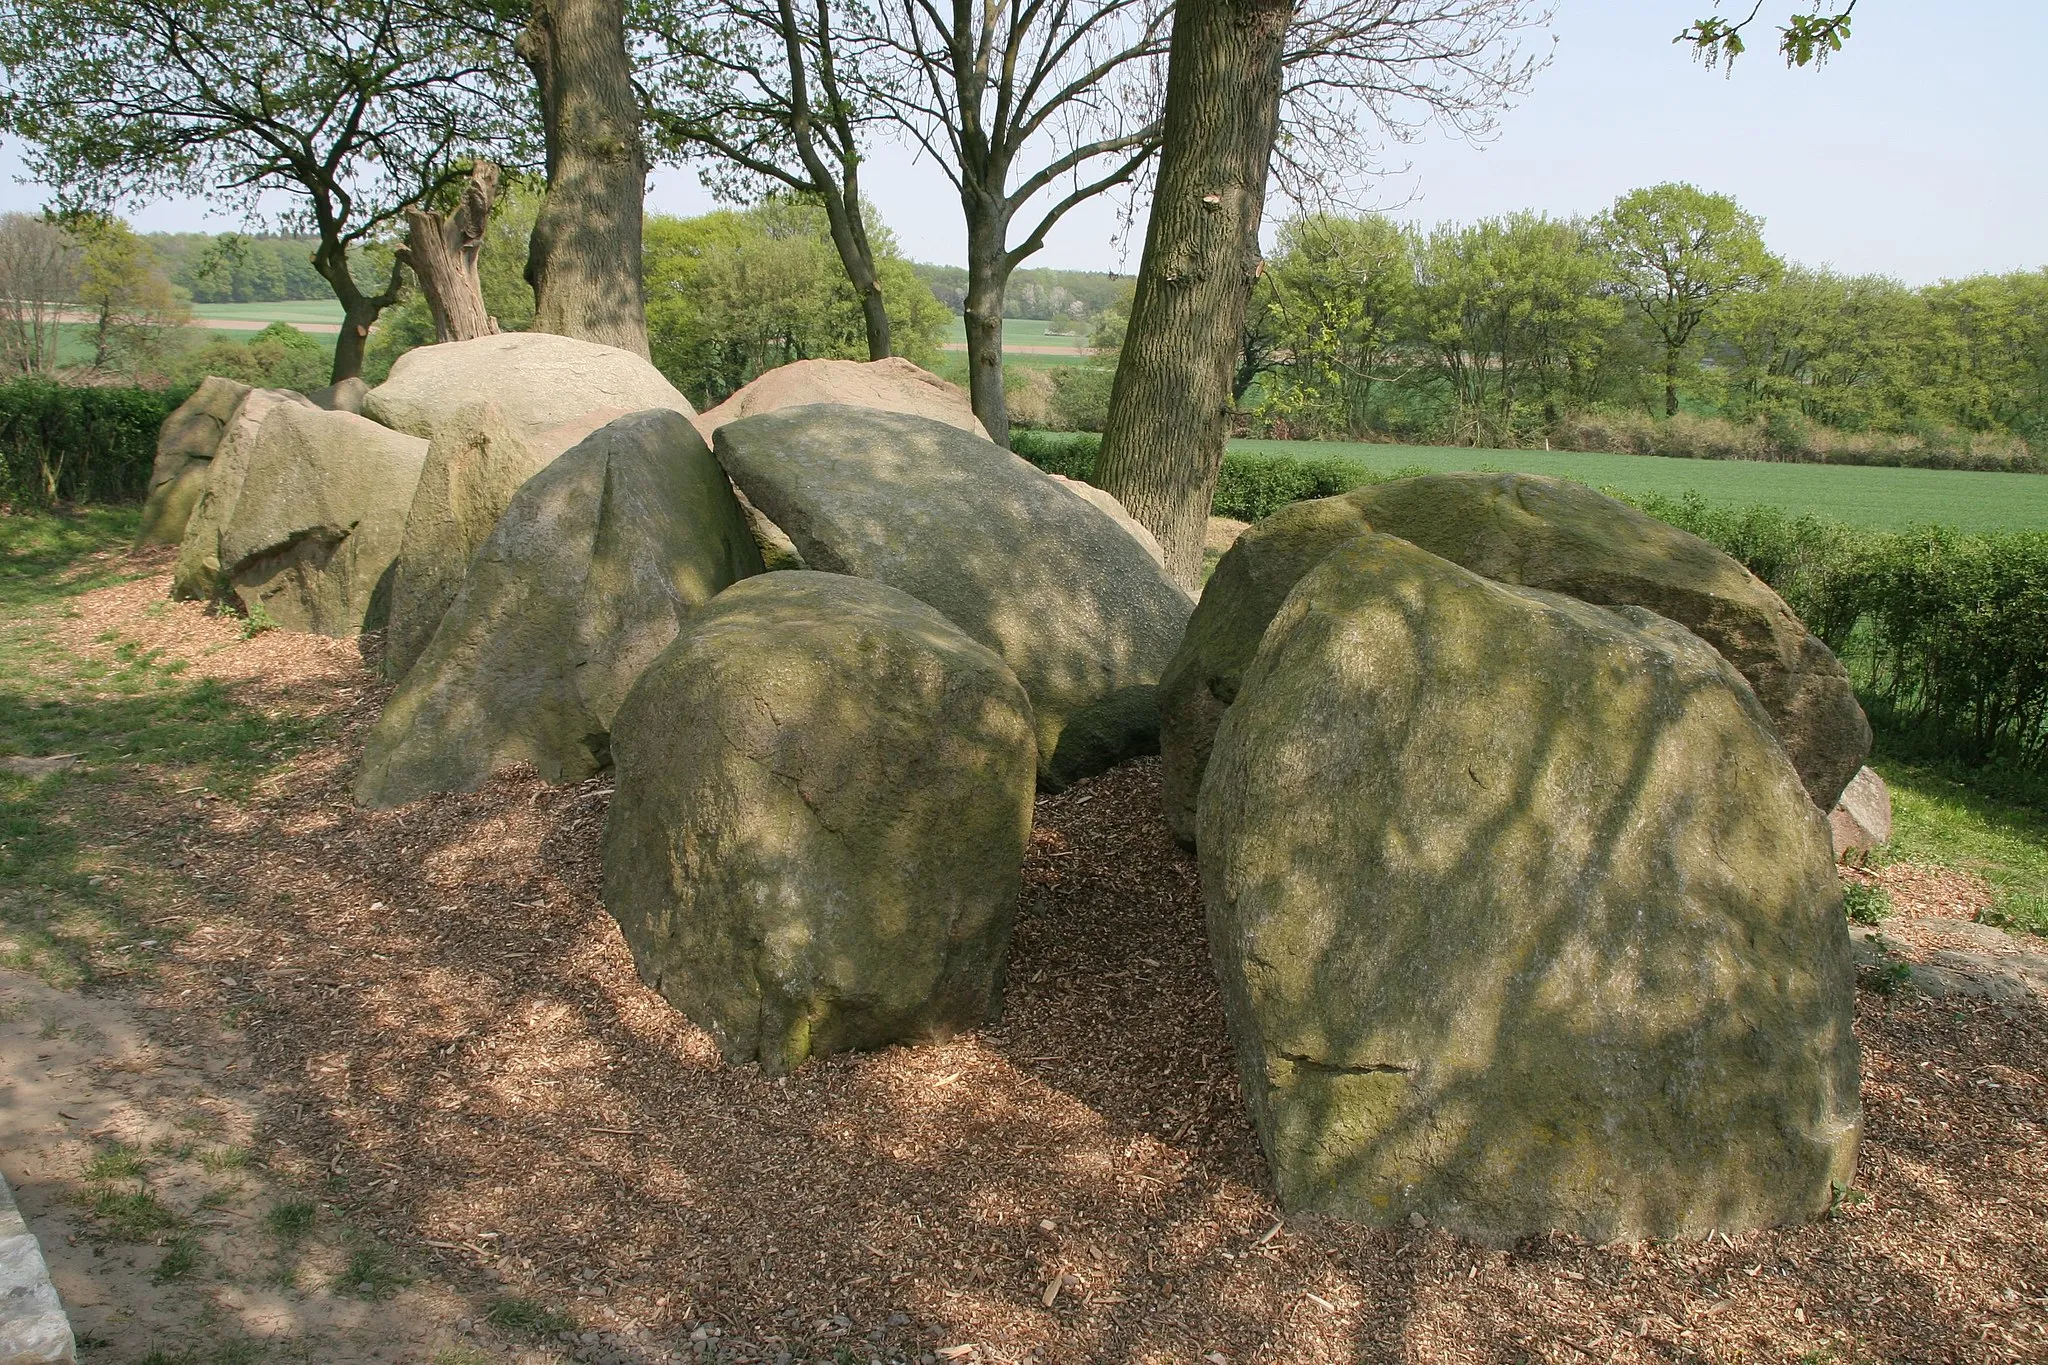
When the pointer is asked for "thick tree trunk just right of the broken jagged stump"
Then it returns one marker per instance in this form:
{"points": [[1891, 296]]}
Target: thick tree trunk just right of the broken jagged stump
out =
{"points": [[585, 263]]}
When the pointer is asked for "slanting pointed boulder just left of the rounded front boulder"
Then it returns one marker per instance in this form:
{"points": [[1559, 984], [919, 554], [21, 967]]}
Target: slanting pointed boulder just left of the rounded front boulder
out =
{"points": [[585, 580]]}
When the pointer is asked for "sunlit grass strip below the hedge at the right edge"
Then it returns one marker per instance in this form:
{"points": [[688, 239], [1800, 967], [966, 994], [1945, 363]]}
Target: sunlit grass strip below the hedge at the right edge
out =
{"points": [[1986, 822]]}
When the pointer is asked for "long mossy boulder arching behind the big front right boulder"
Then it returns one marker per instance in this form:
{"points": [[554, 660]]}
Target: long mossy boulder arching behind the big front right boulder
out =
{"points": [[1537, 533]]}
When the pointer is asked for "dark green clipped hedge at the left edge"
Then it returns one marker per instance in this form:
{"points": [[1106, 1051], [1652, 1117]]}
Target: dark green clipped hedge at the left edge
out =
{"points": [[62, 443]]}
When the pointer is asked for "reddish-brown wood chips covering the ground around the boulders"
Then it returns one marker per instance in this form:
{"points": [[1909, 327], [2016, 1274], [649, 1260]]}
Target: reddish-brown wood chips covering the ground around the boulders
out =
{"points": [[437, 1039]]}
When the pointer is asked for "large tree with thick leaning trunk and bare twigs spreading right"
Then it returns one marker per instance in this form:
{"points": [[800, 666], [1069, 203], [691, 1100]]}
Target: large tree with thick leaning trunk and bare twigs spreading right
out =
{"points": [[1254, 85]]}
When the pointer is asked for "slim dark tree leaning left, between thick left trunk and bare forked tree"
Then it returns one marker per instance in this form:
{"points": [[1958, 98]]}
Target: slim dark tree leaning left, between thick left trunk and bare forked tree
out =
{"points": [[763, 91]]}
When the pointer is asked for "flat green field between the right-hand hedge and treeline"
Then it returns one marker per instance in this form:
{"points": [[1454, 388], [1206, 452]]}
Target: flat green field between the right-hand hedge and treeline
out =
{"points": [[1842, 492]]}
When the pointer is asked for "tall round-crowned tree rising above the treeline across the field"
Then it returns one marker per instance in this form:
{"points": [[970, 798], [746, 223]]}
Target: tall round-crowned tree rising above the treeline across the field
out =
{"points": [[1680, 255]]}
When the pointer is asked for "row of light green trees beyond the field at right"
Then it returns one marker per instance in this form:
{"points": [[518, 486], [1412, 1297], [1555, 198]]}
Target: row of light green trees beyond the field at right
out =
{"points": [[1662, 326]]}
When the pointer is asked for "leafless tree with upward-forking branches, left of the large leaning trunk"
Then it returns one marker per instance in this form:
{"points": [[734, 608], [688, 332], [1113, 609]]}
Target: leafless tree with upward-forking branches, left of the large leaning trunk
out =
{"points": [[1031, 107]]}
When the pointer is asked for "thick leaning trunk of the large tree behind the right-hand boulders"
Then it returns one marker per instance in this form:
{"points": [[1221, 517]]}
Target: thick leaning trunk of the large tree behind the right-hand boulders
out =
{"points": [[1162, 443]]}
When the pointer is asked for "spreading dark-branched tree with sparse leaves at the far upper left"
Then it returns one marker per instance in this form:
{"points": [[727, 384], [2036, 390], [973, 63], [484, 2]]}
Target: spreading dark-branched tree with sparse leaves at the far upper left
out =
{"points": [[353, 109]]}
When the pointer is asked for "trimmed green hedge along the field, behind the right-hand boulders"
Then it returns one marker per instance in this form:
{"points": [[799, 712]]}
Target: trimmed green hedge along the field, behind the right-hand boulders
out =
{"points": [[1945, 631]]}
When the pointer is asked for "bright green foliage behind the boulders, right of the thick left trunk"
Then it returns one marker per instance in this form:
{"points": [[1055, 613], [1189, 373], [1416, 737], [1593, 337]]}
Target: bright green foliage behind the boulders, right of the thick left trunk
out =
{"points": [[736, 294]]}
